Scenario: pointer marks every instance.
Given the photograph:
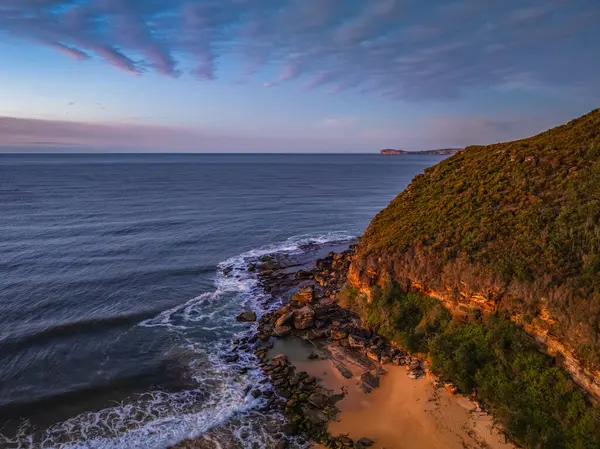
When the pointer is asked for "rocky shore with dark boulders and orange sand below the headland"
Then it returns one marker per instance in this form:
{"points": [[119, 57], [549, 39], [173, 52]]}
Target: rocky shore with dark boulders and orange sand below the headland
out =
{"points": [[339, 385]]}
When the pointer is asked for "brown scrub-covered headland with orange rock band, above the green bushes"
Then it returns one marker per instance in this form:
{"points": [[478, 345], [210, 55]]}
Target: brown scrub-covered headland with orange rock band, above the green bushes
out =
{"points": [[510, 228]]}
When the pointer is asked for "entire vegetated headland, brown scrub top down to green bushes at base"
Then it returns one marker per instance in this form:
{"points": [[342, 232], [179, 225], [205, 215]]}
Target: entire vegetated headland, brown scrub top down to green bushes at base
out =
{"points": [[513, 229]]}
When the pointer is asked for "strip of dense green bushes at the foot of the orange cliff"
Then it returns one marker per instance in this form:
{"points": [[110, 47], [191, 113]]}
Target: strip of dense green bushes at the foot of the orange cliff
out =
{"points": [[530, 395]]}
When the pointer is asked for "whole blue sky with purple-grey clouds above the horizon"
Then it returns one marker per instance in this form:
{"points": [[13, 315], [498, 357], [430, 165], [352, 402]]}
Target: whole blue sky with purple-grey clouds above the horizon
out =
{"points": [[291, 75]]}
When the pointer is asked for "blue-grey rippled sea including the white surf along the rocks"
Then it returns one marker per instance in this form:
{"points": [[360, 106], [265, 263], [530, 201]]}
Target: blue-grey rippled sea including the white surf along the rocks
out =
{"points": [[114, 314]]}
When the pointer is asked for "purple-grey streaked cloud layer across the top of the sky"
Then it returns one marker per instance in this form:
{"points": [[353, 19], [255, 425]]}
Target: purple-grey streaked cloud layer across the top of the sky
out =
{"points": [[398, 49]]}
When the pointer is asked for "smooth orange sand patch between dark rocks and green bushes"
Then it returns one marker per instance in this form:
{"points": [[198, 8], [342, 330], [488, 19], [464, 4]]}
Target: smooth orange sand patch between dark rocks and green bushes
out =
{"points": [[402, 413]]}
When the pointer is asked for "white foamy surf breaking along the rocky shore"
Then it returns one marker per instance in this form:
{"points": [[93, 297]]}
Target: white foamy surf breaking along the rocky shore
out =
{"points": [[158, 419]]}
